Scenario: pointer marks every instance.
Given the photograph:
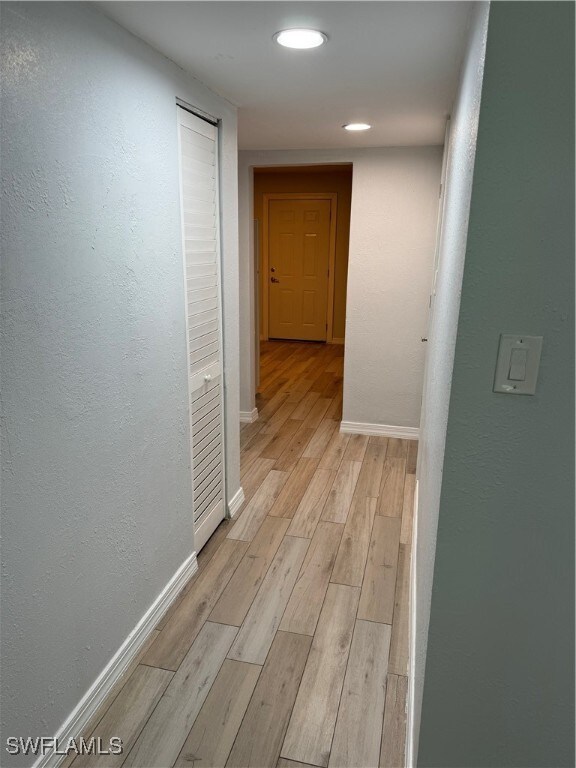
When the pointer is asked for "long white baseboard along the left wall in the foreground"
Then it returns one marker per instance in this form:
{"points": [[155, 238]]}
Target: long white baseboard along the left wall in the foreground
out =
{"points": [[86, 708]]}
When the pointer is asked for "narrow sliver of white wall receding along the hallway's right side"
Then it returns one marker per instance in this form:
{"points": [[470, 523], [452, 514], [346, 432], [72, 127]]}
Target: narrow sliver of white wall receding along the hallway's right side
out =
{"points": [[441, 346]]}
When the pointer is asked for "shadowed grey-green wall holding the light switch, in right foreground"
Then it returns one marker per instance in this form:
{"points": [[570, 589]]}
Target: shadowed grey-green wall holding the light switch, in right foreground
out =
{"points": [[499, 685]]}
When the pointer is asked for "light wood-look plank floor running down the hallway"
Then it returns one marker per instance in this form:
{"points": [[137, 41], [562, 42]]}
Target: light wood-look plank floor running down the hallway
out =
{"points": [[289, 647]]}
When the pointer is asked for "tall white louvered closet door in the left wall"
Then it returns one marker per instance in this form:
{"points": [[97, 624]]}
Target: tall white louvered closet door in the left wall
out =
{"points": [[200, 225]]}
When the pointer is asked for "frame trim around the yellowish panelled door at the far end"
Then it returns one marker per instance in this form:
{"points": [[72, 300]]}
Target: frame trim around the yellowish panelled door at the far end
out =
{"points": [[266, 198]]}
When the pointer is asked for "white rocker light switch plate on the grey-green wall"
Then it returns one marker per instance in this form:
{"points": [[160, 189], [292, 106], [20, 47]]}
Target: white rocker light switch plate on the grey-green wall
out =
{"points": [[517, 364]]}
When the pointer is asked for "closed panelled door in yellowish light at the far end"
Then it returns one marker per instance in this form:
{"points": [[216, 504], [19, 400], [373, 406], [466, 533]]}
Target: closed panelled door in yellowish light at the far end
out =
{"points": [[298, 267]]}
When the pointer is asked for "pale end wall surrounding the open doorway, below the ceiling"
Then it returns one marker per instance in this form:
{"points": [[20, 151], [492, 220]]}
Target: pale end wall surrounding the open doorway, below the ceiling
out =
{"points": [[392, 236]]}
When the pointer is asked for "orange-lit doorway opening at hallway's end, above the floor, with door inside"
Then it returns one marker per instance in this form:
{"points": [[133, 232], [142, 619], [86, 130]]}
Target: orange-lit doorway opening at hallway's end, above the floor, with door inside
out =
{"points": [[301, 235]]}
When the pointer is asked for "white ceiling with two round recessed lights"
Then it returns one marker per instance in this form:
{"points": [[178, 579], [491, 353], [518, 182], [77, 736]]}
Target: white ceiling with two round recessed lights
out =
{"points": [[392, 64]]}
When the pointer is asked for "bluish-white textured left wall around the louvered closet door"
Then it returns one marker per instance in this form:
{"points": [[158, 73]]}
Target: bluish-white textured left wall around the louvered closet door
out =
{"points": [[96, 502]]}
